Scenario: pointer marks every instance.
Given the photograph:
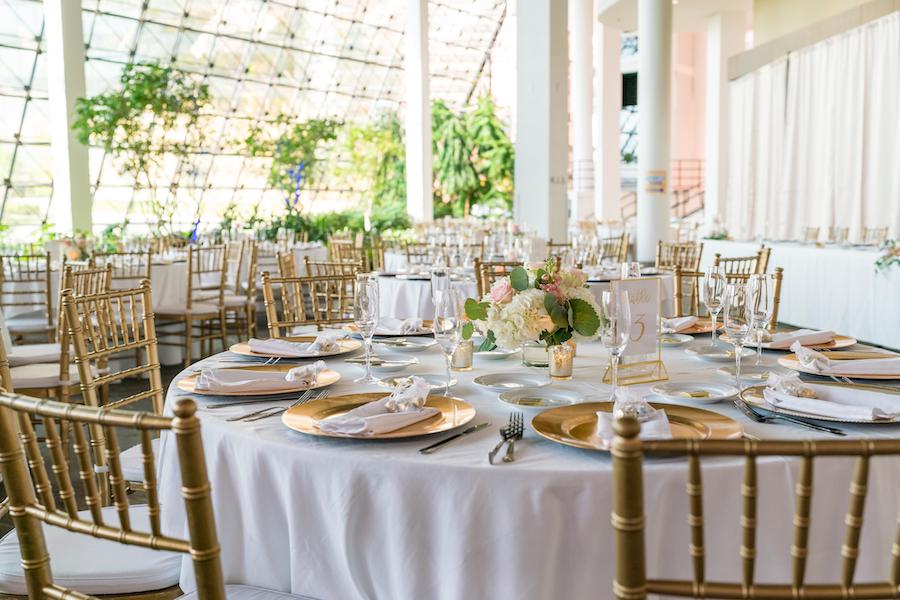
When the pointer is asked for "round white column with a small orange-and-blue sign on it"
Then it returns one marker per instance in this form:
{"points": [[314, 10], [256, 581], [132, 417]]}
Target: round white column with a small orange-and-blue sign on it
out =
{"points": [[654, 112]]}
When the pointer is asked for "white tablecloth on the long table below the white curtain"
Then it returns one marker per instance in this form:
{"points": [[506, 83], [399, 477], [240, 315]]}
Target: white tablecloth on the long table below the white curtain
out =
{"points": [[830, 288]]}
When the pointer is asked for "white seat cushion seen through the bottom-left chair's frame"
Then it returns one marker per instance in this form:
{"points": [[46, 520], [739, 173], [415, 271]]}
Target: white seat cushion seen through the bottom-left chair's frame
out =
{"points": [[94, 566]]}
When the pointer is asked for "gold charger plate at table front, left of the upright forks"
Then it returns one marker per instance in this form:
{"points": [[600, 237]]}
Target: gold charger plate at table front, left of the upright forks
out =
{"points": [[303, 418]]}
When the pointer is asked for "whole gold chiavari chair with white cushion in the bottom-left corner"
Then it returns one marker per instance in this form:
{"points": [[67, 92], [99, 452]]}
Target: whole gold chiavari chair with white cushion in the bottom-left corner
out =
{"points": [[92, 539]]}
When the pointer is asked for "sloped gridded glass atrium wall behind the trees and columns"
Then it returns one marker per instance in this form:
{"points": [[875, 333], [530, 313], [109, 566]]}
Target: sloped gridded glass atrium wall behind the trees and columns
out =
{"points": [[338, 59]]}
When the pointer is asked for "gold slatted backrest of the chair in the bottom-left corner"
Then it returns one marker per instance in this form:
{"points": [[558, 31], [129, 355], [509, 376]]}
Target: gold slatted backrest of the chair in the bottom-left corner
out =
{"points": [[32, 498]]}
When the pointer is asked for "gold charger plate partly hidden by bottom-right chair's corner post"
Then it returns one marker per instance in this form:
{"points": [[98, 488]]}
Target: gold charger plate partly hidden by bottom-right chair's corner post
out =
{"points": [[576, 424]]}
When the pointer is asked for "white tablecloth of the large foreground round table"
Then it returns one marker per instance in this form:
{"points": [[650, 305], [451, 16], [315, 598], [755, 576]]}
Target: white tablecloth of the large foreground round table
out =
{"points": [[362, 519]]}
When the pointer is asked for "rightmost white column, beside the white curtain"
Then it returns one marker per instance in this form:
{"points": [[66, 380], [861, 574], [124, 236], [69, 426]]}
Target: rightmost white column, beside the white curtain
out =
{"points": [[724, 37]]}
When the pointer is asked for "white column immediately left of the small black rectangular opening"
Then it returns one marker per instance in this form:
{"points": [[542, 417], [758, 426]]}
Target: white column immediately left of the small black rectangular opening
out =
{"points": [[607, 109]]}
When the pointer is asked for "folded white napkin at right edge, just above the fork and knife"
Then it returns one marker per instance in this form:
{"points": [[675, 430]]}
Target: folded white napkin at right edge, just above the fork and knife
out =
{"points": [[830, 401]]}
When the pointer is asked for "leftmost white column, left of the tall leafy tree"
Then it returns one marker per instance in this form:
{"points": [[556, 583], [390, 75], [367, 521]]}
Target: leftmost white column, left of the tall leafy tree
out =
{"points": [[65, 80]]}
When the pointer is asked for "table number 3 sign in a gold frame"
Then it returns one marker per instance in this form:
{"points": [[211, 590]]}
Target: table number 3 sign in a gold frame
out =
{"points": [[641, 361]]}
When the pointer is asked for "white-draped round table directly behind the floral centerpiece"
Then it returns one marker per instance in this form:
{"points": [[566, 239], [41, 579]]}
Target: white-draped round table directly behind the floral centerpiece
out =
{"points": [[411, 298]]}
